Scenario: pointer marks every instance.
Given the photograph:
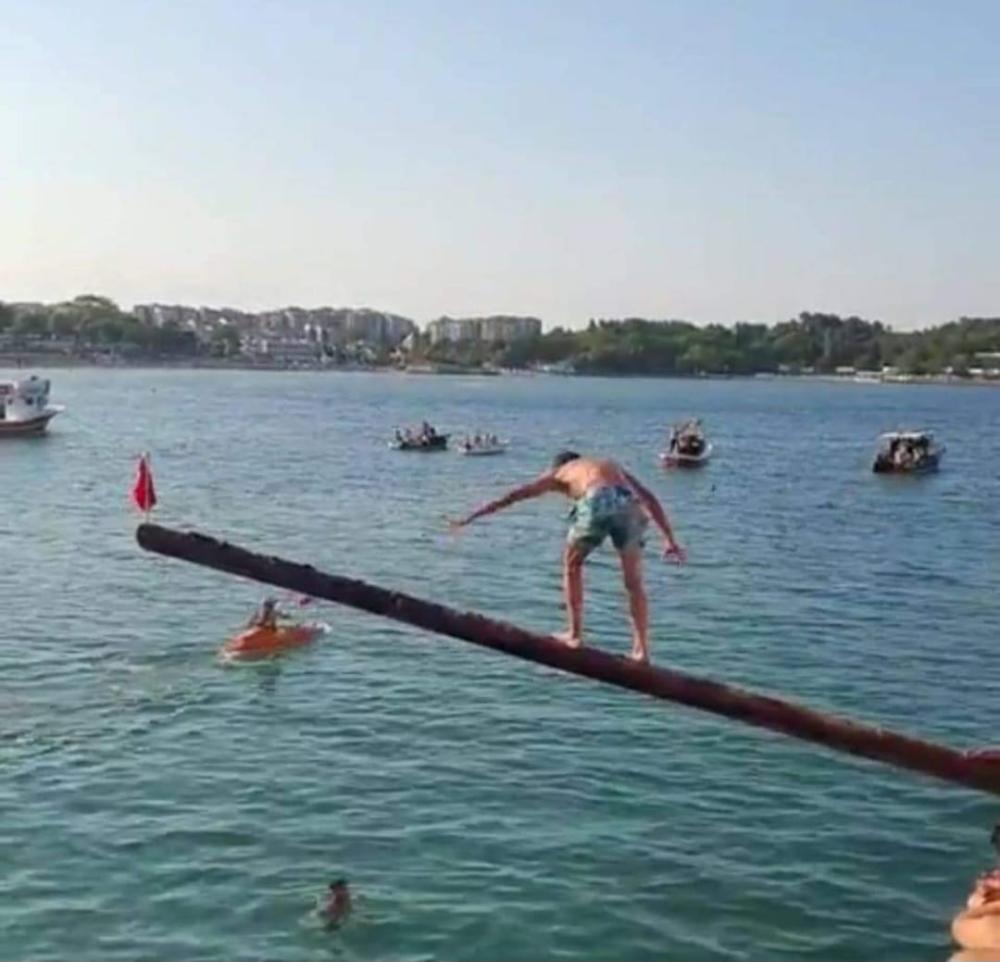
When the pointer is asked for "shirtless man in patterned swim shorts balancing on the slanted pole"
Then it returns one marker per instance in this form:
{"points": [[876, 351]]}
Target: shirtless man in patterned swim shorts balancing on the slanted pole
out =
{"points": [[607, 500]]}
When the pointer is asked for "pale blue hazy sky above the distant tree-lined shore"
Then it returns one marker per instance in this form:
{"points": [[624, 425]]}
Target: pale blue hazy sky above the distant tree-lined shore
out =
{"points": [[709, 160]]}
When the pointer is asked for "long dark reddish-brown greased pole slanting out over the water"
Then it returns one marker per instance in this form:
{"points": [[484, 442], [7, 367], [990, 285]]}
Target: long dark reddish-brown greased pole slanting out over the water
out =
{"points": [[973, 770]]}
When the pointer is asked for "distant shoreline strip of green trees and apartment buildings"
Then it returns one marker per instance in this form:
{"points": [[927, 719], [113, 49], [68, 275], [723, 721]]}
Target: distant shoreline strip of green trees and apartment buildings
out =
{"points": [[91, 329]]}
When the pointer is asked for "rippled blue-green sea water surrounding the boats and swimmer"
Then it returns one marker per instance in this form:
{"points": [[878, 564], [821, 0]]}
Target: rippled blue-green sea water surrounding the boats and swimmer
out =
{"points": [[159, 805]]}
